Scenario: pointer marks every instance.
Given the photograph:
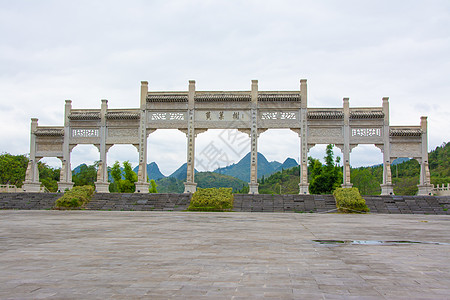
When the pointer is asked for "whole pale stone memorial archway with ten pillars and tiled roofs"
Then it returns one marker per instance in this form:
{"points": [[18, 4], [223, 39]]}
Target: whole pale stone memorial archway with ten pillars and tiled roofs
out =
{"points": [[251, 112]]}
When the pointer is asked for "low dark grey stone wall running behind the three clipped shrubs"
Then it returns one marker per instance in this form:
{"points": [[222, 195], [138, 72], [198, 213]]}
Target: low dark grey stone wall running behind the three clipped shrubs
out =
{"points": [[242, 203]]}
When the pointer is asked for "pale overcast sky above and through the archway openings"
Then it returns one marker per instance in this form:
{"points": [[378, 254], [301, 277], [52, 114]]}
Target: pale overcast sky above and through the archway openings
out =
{"points": [[92, 50]]}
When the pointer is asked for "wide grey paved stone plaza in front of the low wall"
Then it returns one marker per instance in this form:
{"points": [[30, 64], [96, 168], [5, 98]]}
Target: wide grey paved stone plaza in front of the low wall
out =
{"points": [[161, 255]]}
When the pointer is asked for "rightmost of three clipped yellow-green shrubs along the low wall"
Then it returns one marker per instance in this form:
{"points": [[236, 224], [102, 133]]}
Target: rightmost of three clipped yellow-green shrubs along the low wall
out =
{"points": [[348, 200]]}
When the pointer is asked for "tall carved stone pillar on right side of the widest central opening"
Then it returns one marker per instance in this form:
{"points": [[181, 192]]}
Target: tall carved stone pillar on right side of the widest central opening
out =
{"points": [[253, 184]]}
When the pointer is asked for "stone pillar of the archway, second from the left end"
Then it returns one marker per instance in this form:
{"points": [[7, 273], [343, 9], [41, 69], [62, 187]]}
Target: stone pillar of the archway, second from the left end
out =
{"points": [[65, 180]]}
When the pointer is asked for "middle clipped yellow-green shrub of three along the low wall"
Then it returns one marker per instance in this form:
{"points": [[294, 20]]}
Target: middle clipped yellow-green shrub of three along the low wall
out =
{"points": [[212, 199]]}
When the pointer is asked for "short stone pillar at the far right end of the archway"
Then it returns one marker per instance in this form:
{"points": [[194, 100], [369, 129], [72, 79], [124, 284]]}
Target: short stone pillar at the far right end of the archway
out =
{"points": [[425, 186]]}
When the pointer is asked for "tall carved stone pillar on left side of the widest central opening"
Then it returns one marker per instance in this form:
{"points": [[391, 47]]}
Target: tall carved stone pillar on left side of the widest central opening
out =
{"points": [[190, 186]]}
